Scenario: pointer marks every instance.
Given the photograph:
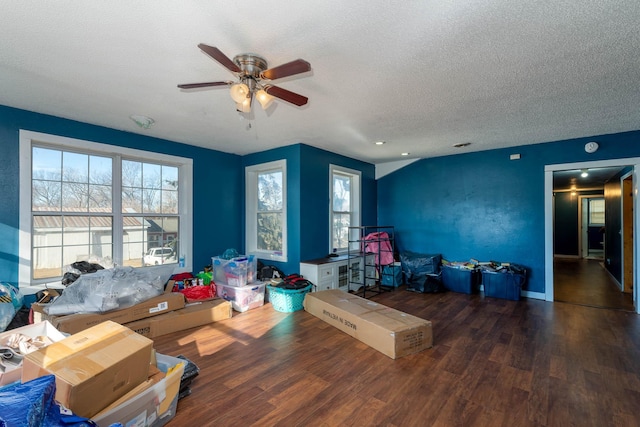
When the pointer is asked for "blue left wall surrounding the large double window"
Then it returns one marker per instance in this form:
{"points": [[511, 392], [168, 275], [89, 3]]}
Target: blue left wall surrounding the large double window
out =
{"points": [[217, 183]]}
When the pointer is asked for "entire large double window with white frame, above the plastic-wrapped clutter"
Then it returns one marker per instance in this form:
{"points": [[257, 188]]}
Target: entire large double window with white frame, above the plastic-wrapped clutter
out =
{"points": [[86, 201]]}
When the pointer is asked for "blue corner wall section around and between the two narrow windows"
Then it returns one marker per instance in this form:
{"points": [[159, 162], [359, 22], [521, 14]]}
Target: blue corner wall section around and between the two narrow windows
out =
{"points": [[308, 198]]}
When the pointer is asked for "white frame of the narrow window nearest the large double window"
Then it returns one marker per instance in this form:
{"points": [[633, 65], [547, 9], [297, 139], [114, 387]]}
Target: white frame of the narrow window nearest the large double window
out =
{"points": [[251, 210]]}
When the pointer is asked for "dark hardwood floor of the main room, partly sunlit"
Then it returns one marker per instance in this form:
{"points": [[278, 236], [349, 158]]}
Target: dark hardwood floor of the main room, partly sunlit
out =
{"points": [[494, 363]]}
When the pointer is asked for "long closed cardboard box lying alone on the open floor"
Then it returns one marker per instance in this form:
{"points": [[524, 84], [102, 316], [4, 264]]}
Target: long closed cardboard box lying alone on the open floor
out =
{"points": [[392, 332]]}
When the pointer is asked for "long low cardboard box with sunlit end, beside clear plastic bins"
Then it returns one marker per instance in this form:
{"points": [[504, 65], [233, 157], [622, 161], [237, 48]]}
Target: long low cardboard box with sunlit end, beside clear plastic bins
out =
{"points": [[196, 314]]}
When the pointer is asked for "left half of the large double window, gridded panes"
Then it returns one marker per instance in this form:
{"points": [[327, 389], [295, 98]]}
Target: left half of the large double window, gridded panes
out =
{"points": [[71, 208]]}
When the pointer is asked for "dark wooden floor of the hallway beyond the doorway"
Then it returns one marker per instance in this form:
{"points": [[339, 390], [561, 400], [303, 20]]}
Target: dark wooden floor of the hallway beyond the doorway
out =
{"points": [[587, 282]]}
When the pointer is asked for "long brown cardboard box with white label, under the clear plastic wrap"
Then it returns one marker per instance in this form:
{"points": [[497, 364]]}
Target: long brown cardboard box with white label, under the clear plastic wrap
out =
{"points": [[74, 323]]}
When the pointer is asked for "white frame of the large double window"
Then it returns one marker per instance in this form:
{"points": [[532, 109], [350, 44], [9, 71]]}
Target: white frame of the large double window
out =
{"points": [[29, 138]]}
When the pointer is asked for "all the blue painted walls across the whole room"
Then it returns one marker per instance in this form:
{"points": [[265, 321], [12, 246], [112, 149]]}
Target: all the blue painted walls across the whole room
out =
{"points": [[476, 205]]}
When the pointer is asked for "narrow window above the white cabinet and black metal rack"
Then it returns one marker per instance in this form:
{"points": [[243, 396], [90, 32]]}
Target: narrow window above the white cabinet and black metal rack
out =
{"points": [[345, 206]]}
